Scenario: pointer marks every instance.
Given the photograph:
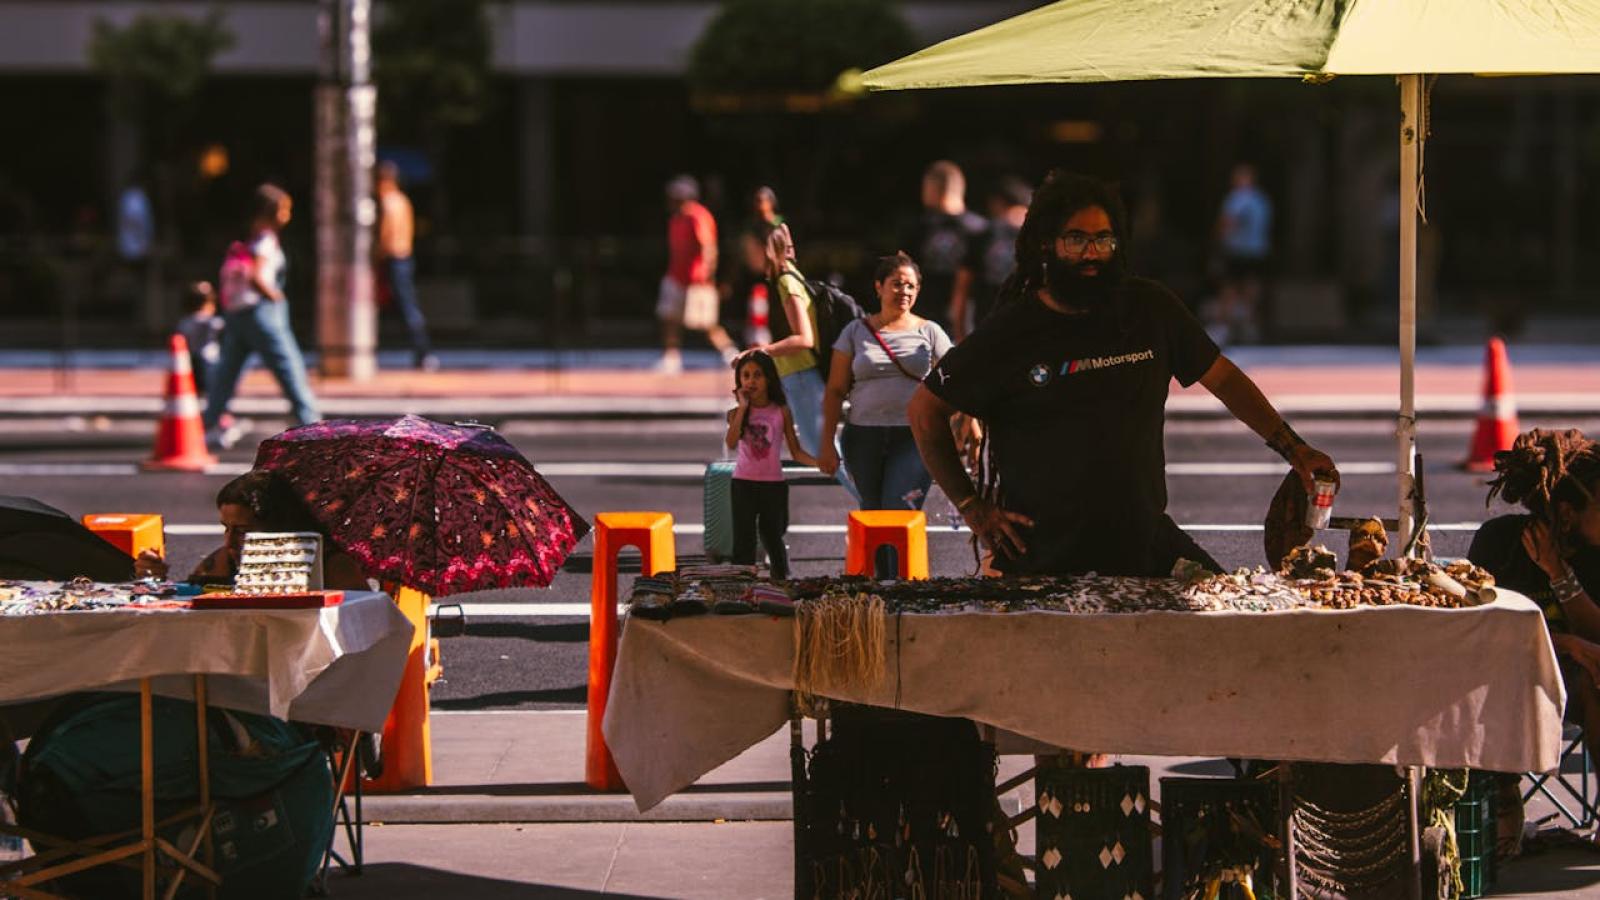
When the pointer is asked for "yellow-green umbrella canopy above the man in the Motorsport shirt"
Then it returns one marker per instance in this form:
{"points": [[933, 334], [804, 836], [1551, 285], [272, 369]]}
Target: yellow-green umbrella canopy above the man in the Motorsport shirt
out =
{"points": [[1132, 41]]}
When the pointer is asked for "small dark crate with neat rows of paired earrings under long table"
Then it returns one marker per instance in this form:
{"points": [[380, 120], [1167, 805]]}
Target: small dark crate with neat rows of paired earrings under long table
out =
{"points": [[1094, 835]]}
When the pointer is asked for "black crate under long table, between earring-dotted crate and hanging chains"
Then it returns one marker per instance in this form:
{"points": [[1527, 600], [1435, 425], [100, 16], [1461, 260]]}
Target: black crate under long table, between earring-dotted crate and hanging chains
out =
{"points": [[1212, 827]]}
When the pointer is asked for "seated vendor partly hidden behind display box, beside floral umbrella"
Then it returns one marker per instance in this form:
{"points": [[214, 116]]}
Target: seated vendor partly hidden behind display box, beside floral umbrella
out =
{"points": [[260, 502]]}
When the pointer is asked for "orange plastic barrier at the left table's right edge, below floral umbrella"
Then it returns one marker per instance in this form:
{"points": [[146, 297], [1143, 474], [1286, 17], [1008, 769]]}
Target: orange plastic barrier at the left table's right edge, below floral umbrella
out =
{"points": [[407, 747]]}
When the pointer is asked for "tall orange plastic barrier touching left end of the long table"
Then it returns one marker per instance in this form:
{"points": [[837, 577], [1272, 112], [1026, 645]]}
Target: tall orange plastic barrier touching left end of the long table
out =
{"points": [[652, 534]]}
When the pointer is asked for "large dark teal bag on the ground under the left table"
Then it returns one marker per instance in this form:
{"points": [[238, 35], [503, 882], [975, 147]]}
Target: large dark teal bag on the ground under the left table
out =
{"points": [[271, 787]]}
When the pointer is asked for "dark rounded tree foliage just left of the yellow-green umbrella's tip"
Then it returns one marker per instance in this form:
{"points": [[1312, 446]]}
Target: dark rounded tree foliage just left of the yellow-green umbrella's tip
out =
{"points": [[794, 46]]}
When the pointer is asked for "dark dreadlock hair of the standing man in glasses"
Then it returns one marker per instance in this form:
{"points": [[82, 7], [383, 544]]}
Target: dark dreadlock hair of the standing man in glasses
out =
{"points": [[1057, 201]]}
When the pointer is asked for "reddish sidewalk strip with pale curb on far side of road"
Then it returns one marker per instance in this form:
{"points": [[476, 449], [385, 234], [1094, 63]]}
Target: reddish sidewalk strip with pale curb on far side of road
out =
{"points": [[1559, 380]]}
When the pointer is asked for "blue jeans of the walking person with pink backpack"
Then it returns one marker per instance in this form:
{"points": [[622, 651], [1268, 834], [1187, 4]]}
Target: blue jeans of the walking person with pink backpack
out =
{"points": [[262, 329]]}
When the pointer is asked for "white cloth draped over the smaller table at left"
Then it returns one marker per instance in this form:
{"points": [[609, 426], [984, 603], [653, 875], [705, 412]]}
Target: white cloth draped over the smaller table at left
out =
{"points": [[334, 667]]}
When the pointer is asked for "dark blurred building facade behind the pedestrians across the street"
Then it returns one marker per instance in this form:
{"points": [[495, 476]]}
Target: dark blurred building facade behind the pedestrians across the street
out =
{"points": [[556, 217]]}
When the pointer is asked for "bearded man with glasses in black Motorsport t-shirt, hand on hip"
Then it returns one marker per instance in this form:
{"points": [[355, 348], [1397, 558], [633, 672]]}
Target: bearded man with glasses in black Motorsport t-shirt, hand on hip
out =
{"points": [[1071, 376]]}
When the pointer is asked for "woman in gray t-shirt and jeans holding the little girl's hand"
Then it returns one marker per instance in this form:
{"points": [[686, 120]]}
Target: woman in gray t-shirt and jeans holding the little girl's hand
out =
{"points": [[879, 361]]}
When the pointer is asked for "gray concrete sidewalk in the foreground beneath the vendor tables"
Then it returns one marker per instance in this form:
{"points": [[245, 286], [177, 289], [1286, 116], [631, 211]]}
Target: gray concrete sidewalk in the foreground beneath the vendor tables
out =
{"points": [[510, 816]]}
